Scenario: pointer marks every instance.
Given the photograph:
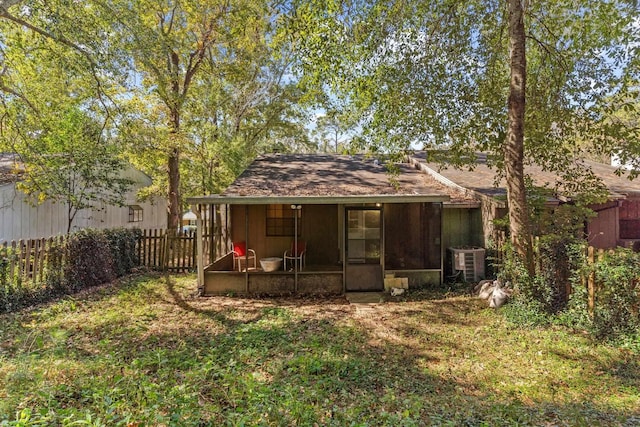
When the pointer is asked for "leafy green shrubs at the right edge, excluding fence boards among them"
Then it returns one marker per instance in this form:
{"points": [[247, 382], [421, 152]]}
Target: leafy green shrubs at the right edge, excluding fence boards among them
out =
{"points": [[616, 315]]}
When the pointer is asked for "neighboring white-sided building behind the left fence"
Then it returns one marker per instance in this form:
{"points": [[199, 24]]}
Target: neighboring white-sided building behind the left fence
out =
{"points": [[21, 219]]}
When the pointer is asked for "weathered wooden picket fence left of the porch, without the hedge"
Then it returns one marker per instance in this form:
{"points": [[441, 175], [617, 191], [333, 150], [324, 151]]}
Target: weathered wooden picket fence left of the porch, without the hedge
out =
{"points": [[29, 260]]}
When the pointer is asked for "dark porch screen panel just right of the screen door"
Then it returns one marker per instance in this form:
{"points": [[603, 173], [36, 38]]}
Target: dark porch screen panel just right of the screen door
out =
{"points": [[412, 236]]}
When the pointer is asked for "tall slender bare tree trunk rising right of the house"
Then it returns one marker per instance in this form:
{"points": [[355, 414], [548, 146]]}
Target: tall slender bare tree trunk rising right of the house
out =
{"points": [[514, 144]]}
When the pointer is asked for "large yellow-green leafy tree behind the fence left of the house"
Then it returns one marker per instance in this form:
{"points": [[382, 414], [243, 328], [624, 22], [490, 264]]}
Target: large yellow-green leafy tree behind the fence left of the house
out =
{"points": [[188, 89]]}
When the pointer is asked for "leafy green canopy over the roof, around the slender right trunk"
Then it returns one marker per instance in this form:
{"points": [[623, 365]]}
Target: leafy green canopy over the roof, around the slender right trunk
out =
{"points": [[436, 74]]}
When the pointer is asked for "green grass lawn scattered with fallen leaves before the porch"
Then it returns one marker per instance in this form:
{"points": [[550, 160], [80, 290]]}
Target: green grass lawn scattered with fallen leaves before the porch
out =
{"points": [[148, 352]]}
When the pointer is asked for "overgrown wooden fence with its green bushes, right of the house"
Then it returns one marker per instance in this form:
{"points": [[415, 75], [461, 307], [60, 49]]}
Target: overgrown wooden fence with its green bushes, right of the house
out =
{"points": [[585, 287]]}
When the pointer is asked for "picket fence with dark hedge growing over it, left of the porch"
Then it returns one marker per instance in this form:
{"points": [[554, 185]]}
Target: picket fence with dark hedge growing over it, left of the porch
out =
{"points": [[33, 271]]}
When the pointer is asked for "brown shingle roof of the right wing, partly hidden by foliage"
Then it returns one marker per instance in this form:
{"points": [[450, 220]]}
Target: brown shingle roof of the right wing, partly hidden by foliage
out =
{"points": [[482, 179]]}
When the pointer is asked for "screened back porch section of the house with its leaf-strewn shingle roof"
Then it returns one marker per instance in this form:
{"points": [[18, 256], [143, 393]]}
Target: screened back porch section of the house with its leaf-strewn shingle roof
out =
{"points": [[357, 223]]}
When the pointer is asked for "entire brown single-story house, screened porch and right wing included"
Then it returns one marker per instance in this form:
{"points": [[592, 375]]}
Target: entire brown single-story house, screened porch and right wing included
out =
{"points": [[359, 224]]}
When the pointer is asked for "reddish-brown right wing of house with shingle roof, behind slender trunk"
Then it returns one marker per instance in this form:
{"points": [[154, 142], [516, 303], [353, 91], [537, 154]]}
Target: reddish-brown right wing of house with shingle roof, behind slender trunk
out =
{"points": [[617, 221]]}
